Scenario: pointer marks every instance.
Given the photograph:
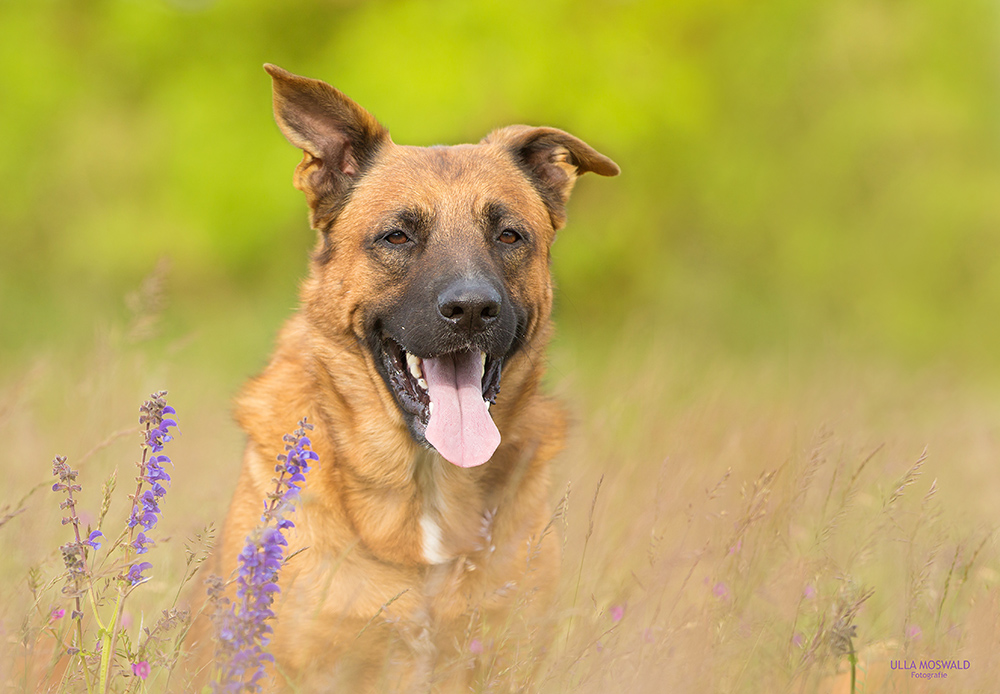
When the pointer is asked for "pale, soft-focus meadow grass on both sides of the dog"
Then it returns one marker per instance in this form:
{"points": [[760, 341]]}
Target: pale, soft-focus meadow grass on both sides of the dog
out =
{"points": [[728, 525]]}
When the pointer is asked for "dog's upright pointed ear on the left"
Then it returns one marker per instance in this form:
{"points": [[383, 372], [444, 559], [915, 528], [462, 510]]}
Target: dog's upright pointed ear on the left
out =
{"points": [[339, 138]]}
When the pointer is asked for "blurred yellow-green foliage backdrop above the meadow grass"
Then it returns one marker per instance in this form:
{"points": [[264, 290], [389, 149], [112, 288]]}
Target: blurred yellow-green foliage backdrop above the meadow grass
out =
{"points": [[798, 177]]}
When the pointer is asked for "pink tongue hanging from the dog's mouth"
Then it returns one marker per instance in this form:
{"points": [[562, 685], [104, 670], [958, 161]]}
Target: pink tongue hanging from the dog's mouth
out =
{"points": [[460, 427]]}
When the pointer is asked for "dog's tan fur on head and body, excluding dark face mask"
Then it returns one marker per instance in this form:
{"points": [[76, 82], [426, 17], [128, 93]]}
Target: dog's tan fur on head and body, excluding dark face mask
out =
{"points": [[361, 608]]}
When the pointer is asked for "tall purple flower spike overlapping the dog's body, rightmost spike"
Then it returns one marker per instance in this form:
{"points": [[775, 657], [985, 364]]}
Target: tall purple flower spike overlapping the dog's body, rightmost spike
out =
{"points": [[242, 627]]}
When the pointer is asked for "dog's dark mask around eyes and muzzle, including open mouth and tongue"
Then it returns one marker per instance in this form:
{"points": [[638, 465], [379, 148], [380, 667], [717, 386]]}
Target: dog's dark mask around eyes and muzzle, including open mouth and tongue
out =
{"points": [[441, 346]]}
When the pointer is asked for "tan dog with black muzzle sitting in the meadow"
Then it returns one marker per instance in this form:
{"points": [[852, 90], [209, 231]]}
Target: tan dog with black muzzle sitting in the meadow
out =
{"points": [[417, 355]]}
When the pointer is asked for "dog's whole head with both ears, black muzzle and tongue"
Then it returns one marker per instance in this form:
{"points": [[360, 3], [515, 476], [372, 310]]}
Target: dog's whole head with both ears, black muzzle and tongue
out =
{"points": [[436, 260]]}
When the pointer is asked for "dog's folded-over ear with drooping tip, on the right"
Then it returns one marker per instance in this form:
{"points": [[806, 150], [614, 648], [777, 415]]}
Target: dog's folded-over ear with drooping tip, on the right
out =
{"points": [[553, 159]]}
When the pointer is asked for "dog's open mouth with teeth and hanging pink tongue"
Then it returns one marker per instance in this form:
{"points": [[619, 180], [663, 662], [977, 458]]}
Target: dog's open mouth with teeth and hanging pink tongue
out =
{"points": [[449, 396]]}
